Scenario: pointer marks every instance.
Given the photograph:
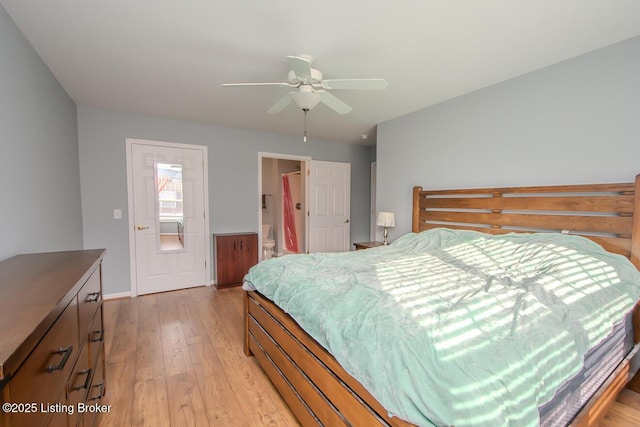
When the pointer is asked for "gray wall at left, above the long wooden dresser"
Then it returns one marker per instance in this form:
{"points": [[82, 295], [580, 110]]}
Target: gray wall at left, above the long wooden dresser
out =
{"points": [[40, 208]]}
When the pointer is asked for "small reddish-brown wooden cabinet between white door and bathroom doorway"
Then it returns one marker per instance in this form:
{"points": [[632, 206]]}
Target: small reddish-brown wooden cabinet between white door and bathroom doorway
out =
{"points": [[236, 253]]}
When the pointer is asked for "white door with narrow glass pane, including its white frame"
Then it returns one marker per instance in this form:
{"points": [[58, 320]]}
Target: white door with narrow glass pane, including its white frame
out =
{"points": [[167, 216]]}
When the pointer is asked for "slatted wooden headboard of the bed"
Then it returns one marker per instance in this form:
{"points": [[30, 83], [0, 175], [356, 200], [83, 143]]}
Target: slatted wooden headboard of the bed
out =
{"points": [[601, 212]]}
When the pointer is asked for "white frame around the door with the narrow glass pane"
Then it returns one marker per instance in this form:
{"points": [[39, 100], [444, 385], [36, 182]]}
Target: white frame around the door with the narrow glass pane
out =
{"points": [[205, 185]]}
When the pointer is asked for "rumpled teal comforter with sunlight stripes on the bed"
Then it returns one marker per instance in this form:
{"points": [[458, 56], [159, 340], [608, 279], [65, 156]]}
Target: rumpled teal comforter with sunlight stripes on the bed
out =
{"points": [[457, 328]]}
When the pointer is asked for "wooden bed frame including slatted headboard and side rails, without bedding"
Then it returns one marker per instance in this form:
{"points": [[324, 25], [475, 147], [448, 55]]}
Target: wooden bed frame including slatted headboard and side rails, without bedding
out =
{"points": [[316, 387]]}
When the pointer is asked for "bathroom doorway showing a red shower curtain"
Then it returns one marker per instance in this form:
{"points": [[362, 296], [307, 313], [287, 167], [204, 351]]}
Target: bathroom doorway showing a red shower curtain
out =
{"points": [[283, 201]]}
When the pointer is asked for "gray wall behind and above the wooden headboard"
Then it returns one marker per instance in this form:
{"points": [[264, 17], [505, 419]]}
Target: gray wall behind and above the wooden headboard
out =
{"points": [[577, 121]]}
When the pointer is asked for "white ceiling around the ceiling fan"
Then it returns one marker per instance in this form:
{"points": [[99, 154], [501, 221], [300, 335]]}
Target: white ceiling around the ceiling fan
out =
{"points": [[167, 58]]}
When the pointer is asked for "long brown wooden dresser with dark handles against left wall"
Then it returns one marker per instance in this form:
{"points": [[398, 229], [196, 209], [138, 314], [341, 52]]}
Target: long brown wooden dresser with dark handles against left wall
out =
{"points": [[51, 356]]}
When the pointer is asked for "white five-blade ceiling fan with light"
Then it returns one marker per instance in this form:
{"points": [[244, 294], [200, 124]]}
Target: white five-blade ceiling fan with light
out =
{"points": [[311, 88]]}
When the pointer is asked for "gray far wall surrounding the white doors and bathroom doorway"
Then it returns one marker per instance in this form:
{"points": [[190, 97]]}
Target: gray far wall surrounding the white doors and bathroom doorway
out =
{"points": [[233, 177]]}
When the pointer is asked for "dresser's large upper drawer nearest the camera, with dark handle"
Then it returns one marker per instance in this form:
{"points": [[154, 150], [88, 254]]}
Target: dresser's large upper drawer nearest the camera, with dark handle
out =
{"points": [[42, 377]]}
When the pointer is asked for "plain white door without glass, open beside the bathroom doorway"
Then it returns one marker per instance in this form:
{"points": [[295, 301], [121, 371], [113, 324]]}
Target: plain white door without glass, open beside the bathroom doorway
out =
{"points": [[329, 206]]}
